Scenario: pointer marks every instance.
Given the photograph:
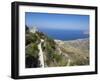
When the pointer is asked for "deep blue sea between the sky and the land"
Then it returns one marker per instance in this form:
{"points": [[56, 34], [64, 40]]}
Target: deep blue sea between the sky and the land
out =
{"points": [[65, 34]]}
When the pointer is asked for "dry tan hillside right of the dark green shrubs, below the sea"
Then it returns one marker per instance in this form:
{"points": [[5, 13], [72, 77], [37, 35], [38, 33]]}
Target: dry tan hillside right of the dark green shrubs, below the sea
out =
{"points": [[76, 50]]}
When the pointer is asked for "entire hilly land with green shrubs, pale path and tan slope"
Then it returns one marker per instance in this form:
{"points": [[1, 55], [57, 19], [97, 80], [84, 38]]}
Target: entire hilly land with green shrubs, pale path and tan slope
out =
{"points": [[43, 51]]}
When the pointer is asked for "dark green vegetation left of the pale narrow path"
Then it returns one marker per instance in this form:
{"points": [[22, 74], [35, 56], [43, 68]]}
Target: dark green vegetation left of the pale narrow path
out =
{"points": [[31, 50]]}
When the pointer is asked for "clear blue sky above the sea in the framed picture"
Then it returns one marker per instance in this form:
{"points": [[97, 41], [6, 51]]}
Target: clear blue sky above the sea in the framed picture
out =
{"points": [[57, 21]]}
